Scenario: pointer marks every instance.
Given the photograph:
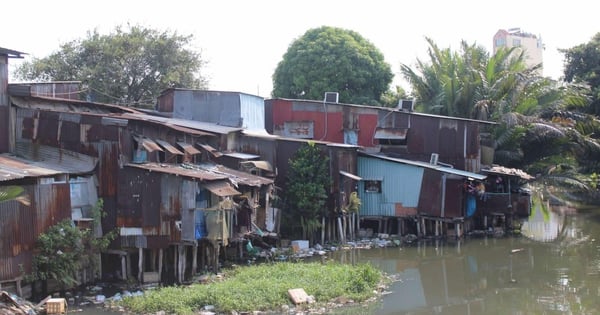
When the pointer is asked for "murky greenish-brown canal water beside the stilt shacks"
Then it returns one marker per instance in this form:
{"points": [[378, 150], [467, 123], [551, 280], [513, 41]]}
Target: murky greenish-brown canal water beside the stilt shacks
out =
{"points": [[553, 267]]}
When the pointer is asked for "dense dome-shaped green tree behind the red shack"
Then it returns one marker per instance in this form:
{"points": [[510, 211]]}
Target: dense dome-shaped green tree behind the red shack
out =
{"points": [[330, 59]]}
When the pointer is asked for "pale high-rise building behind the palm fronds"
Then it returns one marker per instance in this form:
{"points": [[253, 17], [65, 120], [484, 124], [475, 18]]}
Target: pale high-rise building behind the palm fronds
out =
{"points": [[514, 37]]}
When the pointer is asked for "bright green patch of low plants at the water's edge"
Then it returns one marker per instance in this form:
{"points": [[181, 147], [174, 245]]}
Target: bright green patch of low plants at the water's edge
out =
{"points": [[262, 288]]}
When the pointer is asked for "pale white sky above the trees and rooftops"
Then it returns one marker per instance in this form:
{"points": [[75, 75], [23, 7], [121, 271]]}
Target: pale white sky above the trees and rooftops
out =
{"points": [[243, 40]]}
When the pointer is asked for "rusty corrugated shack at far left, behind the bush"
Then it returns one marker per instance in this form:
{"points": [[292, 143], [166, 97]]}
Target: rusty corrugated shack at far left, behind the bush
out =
{"points": [[58, 185]]}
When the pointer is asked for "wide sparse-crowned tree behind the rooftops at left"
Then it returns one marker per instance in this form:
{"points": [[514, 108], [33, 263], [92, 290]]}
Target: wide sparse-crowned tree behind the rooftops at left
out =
{"points": [[128, 66]]}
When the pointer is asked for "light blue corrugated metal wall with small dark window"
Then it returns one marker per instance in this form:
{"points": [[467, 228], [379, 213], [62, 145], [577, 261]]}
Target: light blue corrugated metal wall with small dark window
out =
{"points": [[401, 184]]}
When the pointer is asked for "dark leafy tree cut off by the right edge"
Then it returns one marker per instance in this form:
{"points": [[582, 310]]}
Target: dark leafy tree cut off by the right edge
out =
{"points": [[582, 66]]}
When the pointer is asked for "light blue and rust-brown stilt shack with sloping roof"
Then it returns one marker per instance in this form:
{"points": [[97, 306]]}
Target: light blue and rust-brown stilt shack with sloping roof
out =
{"points": [[426, 199]]}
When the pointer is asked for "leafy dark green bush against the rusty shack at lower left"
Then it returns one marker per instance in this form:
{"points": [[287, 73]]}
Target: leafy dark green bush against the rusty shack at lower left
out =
{"points": [[65, 250]]}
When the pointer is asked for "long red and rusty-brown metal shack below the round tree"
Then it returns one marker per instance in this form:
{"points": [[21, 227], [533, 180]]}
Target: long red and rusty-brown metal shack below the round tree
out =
{"points": [[398, 132]]}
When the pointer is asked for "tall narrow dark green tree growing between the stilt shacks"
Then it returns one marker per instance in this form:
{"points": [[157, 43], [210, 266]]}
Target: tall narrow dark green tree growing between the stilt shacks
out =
{"points": [[308, 182]]}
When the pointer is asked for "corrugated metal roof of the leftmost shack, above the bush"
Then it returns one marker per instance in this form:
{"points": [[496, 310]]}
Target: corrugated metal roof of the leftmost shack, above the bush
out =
{"points": [[13, 167]]}
